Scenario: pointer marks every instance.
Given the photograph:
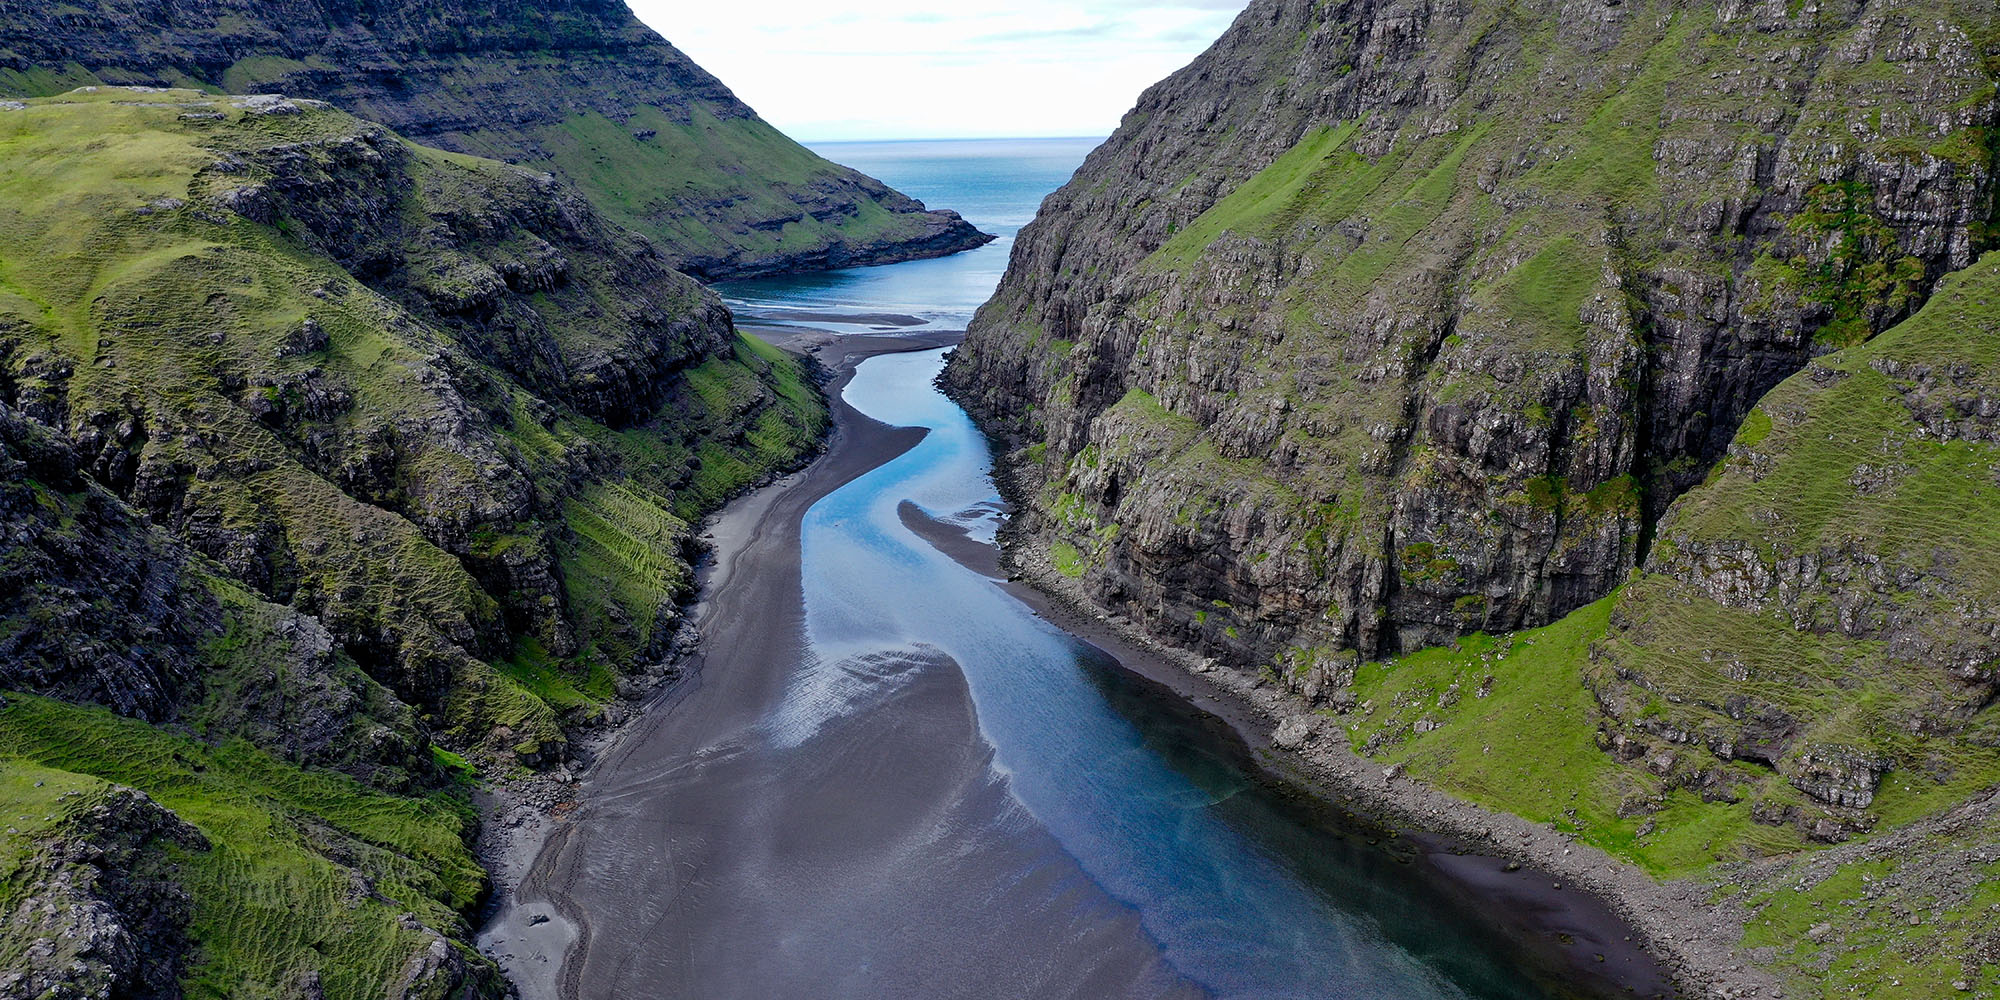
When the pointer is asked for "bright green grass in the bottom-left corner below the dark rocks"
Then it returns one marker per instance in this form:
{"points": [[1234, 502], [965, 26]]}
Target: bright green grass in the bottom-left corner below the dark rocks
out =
{"points": [[275, 897]]}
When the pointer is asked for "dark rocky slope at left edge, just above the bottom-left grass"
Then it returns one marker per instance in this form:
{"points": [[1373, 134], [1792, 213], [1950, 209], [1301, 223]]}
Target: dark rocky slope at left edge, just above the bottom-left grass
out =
{"points": [[105, 609]]}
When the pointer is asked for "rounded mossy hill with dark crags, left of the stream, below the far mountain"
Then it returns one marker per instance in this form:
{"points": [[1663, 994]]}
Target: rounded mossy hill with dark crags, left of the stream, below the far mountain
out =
{"points": [[433, 403]]}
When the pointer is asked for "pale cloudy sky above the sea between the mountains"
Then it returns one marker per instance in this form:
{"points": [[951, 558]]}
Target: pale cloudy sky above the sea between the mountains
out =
{"points": [[923, 69]]}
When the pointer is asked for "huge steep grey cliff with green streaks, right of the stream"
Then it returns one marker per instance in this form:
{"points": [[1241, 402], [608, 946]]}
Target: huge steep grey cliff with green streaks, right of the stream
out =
{"points": [[1395, 321]]}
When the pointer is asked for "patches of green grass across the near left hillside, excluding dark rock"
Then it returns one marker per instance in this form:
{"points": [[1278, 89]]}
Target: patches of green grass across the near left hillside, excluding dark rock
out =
{"points": [[113, 265]]}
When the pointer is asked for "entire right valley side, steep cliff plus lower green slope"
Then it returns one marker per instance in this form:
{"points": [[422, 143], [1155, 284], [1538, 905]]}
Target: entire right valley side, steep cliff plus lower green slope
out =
{"points": [[1579, 405]]}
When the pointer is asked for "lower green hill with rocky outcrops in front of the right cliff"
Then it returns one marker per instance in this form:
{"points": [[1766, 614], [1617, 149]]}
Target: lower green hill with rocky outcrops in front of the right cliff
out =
{"points": [[1809, 657]]}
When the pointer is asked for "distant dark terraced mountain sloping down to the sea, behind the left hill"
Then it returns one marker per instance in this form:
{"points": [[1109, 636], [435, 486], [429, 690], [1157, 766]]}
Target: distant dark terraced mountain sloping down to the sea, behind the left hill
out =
{"points": [[577, 87]]}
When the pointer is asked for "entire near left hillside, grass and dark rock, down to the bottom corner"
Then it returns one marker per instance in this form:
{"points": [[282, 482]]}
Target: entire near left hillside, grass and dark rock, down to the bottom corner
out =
{"points": [[325, 451]]}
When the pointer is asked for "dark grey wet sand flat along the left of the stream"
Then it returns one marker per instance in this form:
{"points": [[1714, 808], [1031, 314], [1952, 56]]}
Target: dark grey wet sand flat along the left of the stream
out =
{"points": [[885, 839]]}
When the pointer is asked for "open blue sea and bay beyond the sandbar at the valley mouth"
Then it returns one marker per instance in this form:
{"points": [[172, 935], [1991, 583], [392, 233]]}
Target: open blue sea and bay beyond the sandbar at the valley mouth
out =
{"points": [[997, 185]]}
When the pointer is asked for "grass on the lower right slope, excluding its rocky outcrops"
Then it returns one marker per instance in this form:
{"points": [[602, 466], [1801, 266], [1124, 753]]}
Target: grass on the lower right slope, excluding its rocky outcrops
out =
{"points": [[1531, 739]]}
